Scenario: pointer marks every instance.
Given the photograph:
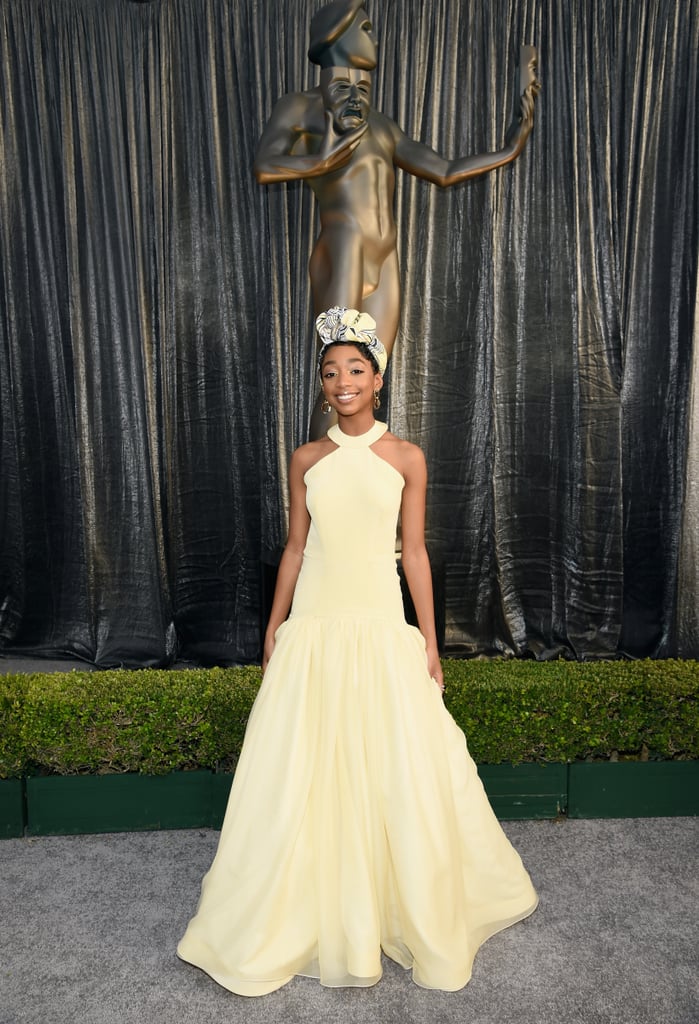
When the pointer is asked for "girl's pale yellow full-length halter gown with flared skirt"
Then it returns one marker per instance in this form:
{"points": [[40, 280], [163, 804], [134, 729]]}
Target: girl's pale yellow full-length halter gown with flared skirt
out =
{"points": [[357, 822]]}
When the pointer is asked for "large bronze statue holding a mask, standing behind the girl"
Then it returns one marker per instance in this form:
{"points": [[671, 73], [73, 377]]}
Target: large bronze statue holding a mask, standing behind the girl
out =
{"points": [[332, 138]]}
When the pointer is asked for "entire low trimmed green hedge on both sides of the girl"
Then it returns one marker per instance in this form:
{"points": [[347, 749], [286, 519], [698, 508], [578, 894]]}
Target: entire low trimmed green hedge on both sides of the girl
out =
{"points": [[159, 721]]}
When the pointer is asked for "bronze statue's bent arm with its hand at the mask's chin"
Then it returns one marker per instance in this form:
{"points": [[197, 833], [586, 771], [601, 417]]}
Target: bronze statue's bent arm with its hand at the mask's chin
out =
{"points": [[286, 132]]}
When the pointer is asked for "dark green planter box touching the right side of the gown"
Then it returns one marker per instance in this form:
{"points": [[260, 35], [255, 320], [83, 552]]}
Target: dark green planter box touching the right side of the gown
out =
{"points": [[527, 791]]}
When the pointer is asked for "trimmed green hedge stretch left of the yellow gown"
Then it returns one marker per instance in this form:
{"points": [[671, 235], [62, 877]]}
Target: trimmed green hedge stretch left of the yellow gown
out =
{"points": [[149, 721]]}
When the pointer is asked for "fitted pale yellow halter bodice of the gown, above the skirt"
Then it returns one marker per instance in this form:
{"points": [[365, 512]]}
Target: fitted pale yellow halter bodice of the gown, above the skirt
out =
{"points": [[349, 566]]}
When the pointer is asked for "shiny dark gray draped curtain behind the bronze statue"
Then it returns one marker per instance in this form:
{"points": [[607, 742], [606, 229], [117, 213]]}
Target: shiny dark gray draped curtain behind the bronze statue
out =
{"points": [[156, 344]]}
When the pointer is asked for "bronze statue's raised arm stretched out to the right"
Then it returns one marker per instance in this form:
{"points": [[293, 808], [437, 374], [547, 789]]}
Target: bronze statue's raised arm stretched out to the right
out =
{"points": [[418, 159]]}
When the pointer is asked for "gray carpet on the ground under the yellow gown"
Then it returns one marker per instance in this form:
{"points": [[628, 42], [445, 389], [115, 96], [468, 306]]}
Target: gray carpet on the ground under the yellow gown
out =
{"points": [[89, 928]]}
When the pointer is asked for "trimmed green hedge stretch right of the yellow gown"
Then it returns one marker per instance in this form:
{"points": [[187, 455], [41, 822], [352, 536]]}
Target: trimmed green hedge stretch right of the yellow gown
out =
{"points": [[571, 711]]}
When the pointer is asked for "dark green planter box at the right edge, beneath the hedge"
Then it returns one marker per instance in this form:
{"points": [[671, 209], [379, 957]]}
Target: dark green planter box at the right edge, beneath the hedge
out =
{"points": [[633, 790]]}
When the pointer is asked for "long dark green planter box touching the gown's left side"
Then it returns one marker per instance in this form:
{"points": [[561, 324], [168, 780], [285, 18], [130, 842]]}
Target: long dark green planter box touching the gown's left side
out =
{"points": [[67, 805]]}
